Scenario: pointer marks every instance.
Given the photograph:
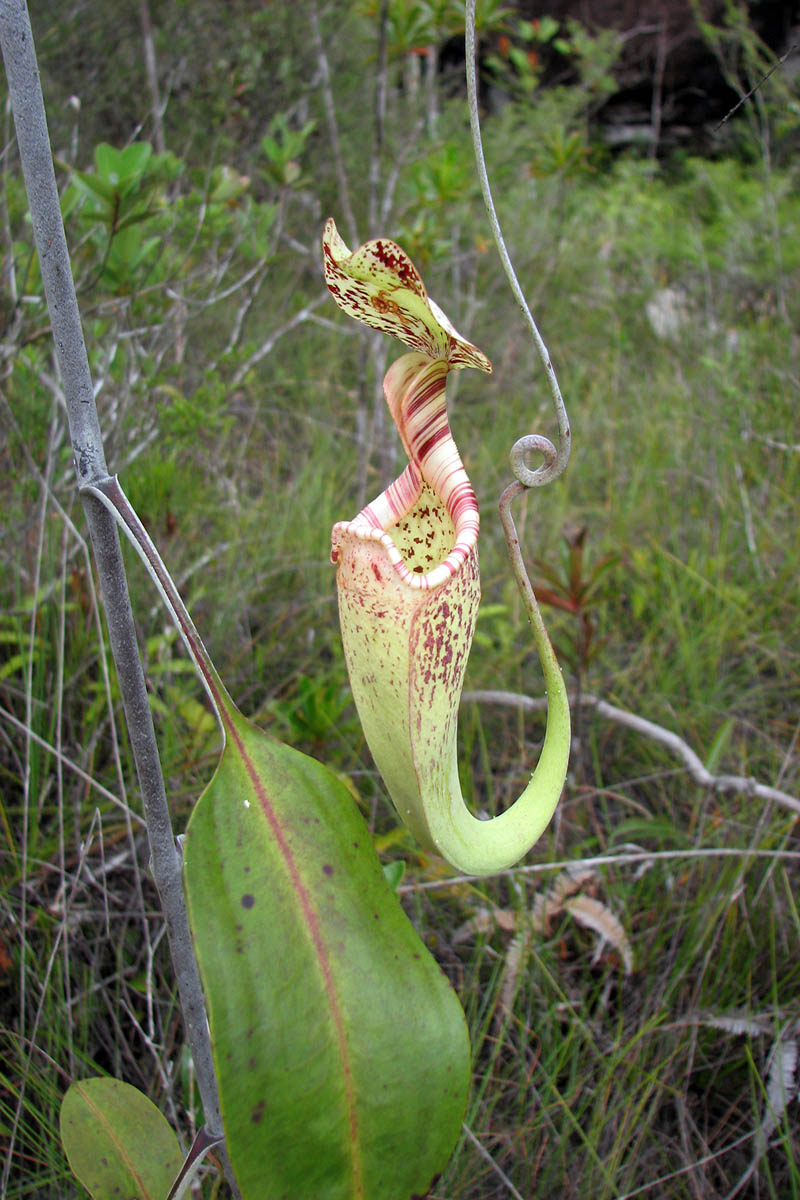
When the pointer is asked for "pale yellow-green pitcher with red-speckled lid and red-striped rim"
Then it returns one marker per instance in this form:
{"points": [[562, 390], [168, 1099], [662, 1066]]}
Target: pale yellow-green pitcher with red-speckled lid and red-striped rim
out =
{"points": [[410, 586]]}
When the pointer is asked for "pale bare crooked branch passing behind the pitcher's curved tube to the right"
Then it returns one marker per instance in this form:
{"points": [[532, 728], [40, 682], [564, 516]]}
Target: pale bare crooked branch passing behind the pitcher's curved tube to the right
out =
{"points": [[657, 734]]}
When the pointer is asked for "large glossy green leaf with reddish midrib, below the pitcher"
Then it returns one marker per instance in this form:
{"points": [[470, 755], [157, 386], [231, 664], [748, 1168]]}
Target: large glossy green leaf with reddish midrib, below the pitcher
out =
{"points": [[341, 1051]]}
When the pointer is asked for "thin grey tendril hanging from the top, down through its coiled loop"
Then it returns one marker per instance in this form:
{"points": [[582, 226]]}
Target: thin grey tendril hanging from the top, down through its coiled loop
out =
{"points": [[555, 460]]}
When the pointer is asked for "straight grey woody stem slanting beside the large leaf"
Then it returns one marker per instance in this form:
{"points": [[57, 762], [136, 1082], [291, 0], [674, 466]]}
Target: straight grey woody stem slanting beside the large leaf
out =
{"points": [[28, 105]]}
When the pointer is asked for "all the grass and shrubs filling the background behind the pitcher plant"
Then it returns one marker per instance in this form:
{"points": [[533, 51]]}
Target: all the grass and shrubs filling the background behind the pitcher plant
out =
{"points": [[245, 417]]}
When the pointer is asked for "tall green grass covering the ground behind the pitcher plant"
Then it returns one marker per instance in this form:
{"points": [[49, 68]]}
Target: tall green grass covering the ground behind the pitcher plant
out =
{"points": [[590, 1083]]}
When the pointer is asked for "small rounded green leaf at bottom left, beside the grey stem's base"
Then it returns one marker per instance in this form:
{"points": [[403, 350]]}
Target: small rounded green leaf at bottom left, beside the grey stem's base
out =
{"points": [[117, 1142]]}
